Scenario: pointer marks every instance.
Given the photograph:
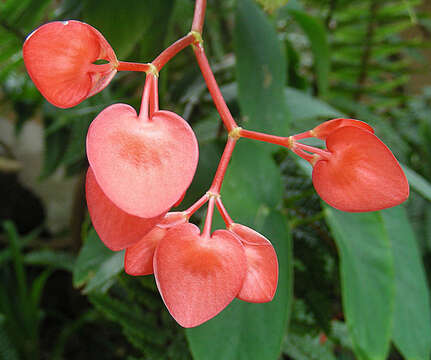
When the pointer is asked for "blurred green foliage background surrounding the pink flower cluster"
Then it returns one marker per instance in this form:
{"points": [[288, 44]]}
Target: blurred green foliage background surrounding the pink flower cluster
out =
{"points": [[352, 286]]}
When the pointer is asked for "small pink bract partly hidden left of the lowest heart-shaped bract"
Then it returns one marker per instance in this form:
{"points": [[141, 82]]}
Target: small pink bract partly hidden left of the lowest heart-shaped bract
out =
{"points": [[138, 259]]}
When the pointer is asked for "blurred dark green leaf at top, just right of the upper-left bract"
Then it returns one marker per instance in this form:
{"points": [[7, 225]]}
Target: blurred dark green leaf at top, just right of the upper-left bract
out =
{"points": [[125, 23]]}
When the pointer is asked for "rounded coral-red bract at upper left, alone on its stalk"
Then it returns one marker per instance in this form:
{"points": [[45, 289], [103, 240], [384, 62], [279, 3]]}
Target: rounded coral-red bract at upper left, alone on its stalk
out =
{"points": [[59, 58]]}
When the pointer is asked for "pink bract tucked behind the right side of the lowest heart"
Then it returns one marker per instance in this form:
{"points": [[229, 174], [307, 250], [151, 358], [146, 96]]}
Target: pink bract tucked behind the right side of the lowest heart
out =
{"points": [[261, 278]]}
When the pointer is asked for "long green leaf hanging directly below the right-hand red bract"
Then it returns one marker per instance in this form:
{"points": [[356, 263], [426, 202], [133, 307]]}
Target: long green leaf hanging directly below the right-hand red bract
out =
{"points": [[367, 280]]}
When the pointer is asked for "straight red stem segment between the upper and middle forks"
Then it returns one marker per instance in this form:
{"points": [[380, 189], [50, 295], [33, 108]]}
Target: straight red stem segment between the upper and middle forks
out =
{"points": [[213, 88]]}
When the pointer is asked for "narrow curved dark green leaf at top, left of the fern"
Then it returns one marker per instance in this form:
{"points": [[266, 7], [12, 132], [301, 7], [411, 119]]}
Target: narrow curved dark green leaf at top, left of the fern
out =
{"points": [[316, 33]]}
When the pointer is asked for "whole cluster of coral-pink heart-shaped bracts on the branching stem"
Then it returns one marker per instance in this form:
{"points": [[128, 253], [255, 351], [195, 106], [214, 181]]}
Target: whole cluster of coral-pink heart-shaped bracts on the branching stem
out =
{"points": [[141, 166]]}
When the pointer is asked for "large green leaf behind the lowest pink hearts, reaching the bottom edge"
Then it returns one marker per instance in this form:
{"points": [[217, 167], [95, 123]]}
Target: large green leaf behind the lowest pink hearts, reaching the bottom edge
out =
{"points": [[251, 190]]}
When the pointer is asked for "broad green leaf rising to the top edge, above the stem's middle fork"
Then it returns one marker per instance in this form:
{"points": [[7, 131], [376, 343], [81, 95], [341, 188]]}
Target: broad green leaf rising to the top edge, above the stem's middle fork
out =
{"points": [[261, 71]]}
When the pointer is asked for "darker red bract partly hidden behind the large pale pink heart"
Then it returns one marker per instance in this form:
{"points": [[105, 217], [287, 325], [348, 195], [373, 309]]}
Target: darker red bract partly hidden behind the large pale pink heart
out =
{"points": [[116, 228]]}
